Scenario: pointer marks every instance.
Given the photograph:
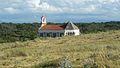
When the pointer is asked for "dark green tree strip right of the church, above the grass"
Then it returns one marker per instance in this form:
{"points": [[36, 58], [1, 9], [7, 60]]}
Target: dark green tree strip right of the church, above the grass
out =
{"points": [[98, 27]]}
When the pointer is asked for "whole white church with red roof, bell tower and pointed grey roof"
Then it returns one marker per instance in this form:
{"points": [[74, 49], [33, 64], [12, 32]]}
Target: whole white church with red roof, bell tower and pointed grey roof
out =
{"points": [[57, 30]]}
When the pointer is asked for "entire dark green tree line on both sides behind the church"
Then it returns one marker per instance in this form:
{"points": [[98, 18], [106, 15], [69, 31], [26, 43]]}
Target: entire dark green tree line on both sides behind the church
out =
{"points": [[11, 32]]}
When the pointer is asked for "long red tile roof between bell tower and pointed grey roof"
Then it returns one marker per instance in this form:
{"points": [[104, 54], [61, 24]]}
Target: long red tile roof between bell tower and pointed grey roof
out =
{"points": [[53, 27]]}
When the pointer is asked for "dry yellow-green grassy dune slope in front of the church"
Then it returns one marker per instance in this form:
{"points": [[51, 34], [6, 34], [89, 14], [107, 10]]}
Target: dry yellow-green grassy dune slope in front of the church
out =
{"points": [[97, 50]]}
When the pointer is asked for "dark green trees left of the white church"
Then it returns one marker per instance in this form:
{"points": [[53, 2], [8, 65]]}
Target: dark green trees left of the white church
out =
{"points": [[10, 32]]}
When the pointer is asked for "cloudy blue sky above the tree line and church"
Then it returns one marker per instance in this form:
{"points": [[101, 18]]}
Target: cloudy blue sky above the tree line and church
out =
{"points": [[29, 11]]}
